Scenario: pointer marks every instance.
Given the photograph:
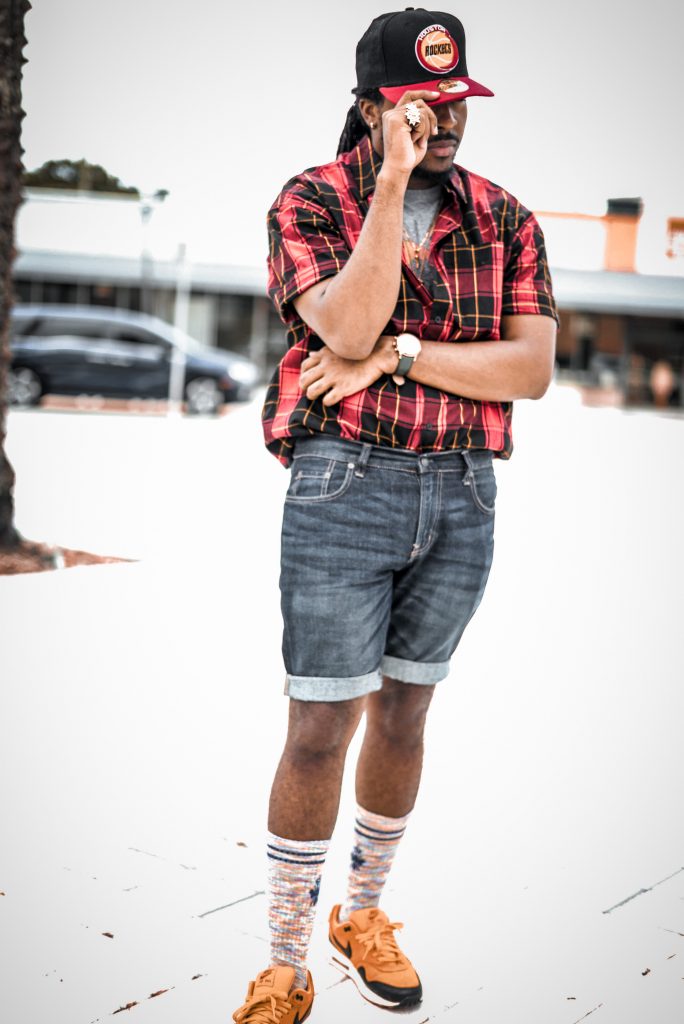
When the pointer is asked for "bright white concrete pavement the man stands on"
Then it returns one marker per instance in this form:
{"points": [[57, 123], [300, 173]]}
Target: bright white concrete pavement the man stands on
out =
{"points": [[542, 877]]}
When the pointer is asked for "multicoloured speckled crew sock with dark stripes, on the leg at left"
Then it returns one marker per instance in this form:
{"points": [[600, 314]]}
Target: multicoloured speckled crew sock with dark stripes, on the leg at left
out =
{"points": [[294, 880]]}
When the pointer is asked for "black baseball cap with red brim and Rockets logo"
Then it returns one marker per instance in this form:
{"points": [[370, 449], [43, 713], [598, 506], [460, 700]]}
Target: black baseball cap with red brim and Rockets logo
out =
{"points": [[416, 50]]}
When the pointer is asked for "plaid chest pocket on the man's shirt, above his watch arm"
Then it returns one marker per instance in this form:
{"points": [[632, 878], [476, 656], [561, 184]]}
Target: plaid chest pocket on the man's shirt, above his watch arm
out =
{"points": [[476, 275]]}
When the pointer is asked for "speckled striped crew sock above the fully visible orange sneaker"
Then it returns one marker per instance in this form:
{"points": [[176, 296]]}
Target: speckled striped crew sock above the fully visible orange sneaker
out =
{"points": [[377, 839]]}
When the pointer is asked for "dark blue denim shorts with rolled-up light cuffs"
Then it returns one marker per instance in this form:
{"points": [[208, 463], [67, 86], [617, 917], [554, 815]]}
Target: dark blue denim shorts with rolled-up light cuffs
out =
{"points": [[386, 557]]}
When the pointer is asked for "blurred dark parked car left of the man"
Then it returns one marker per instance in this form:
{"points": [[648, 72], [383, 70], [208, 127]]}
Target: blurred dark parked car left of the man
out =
{"points": [[61, 350]]}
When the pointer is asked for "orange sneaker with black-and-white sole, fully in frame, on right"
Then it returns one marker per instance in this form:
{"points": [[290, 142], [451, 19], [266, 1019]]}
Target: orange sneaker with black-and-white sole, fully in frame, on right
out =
{"points": [[368, 953]]}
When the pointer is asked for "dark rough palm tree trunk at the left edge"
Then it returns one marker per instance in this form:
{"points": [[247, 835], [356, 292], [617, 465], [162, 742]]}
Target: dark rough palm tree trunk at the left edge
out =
{"points": [[13, 41]]}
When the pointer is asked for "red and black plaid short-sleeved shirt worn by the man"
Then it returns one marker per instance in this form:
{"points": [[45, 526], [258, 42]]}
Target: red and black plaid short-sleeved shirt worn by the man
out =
{"points": [[489, 254]]}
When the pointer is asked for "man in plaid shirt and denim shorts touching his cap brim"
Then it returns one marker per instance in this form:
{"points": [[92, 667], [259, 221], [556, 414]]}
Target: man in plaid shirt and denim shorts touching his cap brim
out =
{"points": [[419, 307]]}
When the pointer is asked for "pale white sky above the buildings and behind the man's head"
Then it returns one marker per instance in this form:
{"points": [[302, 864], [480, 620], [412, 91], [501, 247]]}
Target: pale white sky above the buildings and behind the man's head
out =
{"points": [[223, 104]]}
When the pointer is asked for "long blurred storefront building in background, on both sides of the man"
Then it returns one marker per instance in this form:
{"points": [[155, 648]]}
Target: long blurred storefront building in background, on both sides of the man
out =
{"points": [[622, 332]]}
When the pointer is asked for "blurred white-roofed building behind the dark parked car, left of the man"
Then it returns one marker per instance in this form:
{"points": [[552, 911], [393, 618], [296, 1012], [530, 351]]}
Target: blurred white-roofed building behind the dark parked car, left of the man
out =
{"points": [[92, 249]]}
